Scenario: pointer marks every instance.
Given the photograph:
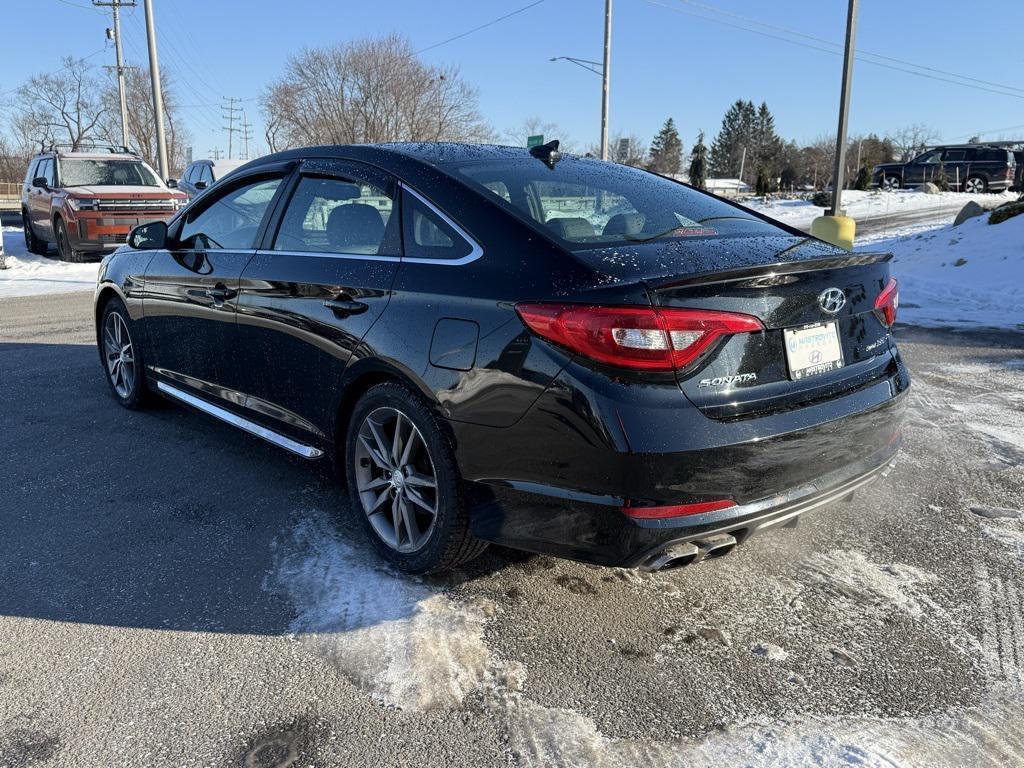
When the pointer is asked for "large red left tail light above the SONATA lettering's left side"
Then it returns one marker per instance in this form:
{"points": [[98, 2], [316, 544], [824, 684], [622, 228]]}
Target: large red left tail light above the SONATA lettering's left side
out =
{"points": [[638, 338]]}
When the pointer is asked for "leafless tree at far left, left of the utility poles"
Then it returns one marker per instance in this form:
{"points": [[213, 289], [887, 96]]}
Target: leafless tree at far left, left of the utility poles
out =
{"points": [[66, 106]]}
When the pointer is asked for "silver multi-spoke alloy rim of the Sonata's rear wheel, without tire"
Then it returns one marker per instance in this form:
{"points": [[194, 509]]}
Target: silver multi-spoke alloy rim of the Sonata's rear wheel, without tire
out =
{"points": [[396, 480]]}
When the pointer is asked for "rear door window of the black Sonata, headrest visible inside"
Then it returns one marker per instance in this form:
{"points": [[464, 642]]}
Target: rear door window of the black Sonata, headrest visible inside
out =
{"points": [[339, 216]]}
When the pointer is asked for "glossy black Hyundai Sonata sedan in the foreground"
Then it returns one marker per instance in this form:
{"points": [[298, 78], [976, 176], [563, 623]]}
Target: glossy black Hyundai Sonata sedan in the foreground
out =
{"points": [[554, 354]]}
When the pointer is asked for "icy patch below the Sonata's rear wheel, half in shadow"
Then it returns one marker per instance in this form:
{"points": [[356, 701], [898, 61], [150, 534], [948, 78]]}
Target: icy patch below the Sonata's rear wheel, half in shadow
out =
{"points": [[408, 645]]}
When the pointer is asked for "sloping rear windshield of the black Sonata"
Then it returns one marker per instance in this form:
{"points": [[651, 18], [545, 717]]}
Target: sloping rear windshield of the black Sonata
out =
{"points": [[588, 203]]}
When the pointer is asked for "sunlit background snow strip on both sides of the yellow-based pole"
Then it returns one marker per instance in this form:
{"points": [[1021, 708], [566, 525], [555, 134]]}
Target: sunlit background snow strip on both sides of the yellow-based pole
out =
{"points": [[876, 204]]}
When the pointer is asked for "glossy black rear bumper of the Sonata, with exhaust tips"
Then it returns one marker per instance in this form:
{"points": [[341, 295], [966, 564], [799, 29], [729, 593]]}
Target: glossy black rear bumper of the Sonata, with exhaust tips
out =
{"points": [[773, 478]]}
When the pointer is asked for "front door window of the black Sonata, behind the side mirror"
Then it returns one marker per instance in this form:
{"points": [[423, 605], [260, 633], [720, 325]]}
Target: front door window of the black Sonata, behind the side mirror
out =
{"points": [[232, 221]]}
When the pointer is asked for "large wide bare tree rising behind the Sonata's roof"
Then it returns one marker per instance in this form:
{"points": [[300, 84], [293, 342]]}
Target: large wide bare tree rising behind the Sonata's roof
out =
{"points": [[369, 91]]}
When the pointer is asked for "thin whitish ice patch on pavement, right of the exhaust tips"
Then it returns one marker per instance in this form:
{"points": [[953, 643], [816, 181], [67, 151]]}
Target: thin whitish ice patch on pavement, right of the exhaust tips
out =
{"points": [[852, 579]]}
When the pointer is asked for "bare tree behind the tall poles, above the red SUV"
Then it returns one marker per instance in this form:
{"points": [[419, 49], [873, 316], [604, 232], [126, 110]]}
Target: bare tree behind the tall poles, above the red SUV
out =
{"points": [[142, 124]]}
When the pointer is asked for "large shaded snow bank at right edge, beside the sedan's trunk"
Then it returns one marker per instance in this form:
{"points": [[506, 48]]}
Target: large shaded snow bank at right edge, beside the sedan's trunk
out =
{"points": [[970, 276]]}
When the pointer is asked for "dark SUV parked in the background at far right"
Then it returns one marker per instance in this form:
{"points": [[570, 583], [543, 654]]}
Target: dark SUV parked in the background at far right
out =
{"points": [[972, 168]]}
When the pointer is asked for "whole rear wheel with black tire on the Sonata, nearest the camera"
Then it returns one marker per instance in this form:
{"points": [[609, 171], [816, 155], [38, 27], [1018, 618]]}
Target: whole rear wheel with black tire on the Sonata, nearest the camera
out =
{"points": [[404, 483]]}
